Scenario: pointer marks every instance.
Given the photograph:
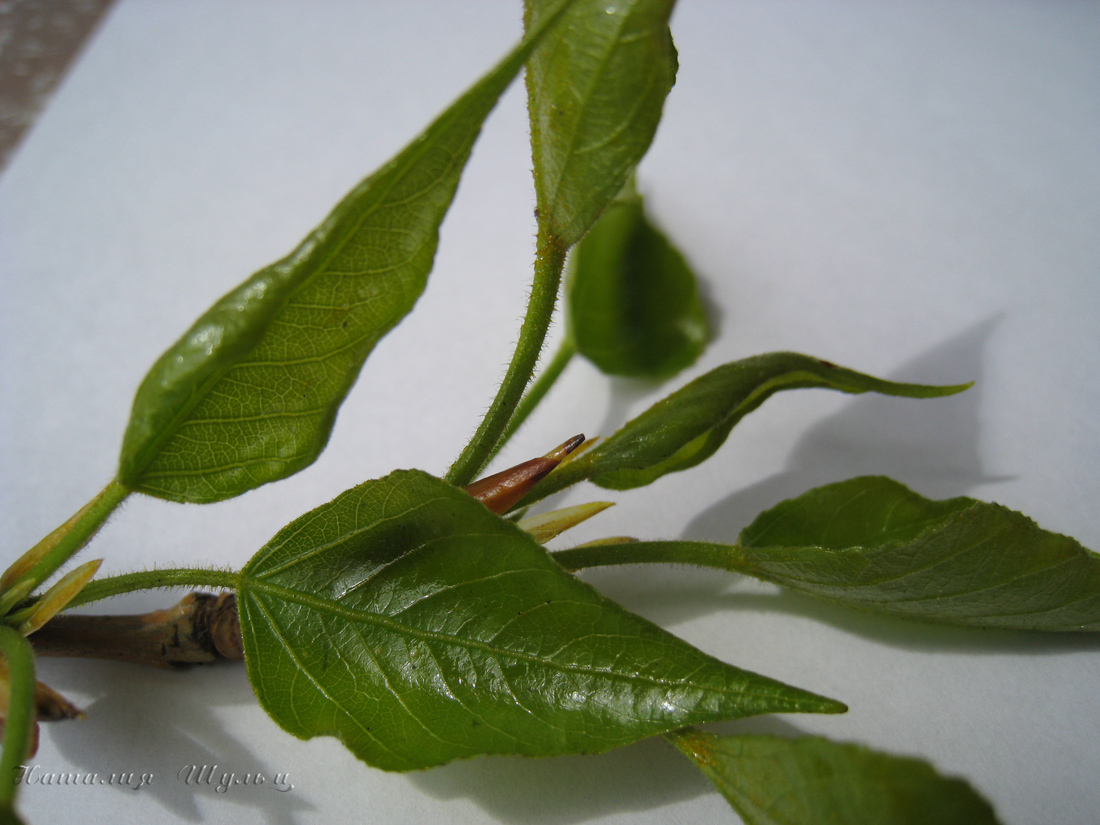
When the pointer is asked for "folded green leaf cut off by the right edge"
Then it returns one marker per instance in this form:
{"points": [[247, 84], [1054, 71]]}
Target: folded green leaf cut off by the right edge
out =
{"points": [[873, 543]]}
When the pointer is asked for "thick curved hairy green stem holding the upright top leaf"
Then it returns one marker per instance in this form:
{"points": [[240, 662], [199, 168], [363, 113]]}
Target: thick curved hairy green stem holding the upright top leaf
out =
{"points": [[549, 262]]}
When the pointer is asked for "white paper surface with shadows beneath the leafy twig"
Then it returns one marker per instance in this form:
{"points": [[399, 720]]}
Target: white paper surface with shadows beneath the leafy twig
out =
{"points": [[909, 189]]}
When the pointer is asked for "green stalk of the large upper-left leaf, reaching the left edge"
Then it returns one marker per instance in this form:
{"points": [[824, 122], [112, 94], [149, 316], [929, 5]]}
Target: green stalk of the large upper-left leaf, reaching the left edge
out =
{"points": [[45, 559]]}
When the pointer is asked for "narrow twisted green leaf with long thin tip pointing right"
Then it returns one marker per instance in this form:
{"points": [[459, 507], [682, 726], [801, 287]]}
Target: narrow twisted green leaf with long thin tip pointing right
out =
{"points": [[689, 426]]}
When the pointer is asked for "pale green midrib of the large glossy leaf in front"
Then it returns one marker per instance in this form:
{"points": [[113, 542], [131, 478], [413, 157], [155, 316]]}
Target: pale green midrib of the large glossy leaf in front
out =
{"points": [[353, 614]]}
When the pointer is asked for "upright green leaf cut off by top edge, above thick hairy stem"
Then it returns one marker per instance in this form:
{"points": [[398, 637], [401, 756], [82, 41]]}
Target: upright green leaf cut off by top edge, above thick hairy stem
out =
{"points": [[596, 87]]}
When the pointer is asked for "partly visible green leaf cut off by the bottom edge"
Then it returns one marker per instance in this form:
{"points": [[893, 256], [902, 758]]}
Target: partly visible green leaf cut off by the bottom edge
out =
{"points": [[775, 782]]}
